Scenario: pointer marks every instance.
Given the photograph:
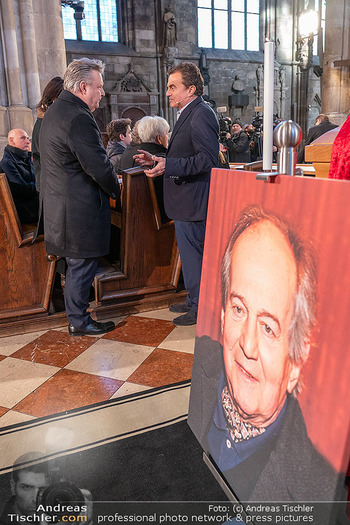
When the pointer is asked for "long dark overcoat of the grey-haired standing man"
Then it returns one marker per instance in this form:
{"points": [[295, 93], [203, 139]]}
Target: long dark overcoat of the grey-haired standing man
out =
{"points": [[77, 180]]}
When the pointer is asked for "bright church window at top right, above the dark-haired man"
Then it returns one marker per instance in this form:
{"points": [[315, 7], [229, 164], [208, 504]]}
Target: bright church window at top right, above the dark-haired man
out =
{"points": [[229, 24]]}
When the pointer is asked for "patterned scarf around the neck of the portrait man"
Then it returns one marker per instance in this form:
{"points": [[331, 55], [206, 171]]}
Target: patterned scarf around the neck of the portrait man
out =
{"points": [[239, 429]]}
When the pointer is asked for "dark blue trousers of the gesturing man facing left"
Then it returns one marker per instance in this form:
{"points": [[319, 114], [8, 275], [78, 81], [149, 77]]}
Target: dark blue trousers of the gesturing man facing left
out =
{"points": [[190, 240]]}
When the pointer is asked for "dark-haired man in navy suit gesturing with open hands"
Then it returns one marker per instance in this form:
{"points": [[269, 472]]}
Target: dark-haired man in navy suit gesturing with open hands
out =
{"points": [[192, 152]]}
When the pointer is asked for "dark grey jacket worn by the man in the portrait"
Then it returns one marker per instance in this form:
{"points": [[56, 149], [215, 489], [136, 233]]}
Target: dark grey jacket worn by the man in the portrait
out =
{"points": [[286, 468]]}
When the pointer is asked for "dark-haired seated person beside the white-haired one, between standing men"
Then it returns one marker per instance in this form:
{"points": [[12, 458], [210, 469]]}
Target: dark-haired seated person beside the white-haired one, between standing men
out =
{"points": [[119, 138]]}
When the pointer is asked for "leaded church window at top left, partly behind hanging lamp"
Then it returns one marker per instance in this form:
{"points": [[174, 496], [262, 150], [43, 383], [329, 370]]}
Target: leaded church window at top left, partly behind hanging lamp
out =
{"points": [[100, 22]]}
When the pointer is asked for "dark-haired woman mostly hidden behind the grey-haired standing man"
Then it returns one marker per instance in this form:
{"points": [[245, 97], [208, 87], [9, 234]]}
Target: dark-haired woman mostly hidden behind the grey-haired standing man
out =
{"points": [[50, 93]]}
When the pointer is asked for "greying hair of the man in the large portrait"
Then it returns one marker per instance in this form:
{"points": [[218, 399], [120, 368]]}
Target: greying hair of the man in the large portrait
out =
{"points": [[304, 312]]}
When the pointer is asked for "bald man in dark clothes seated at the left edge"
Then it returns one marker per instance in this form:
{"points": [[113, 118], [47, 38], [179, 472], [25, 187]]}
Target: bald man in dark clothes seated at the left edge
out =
{"points": [[18, 167]]}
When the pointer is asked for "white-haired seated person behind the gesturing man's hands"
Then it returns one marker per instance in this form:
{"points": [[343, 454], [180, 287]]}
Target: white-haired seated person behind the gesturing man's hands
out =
{"points": [[153, 133]]}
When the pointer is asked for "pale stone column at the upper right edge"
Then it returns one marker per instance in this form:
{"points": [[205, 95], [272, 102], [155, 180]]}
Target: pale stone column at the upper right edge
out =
{"points": [[335, 80]]}
